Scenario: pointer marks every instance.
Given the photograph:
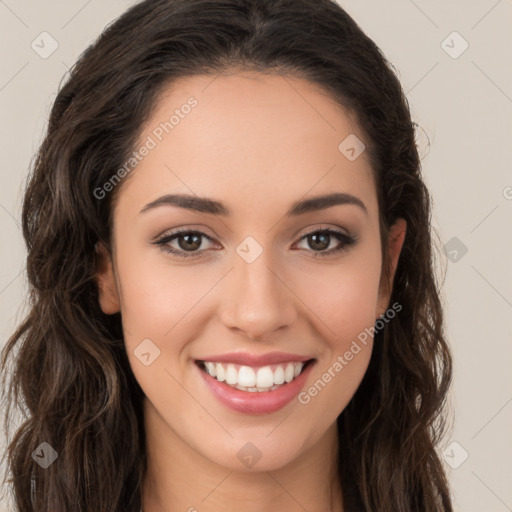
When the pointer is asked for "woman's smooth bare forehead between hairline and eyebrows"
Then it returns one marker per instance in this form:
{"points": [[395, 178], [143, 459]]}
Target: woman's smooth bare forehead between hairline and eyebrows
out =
{"points": [[253, 135]]}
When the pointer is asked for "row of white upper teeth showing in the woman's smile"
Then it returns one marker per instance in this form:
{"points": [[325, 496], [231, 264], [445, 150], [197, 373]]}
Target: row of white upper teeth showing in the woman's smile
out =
{"points": [[250, 379]]}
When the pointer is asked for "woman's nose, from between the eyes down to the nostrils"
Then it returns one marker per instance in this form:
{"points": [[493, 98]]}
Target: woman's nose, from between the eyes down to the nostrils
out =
{"points": [[257, 299]]}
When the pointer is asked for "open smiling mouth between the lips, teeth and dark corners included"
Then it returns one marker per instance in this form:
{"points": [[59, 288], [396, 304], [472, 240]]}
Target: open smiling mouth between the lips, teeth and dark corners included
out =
{"points": [[255, 379]]}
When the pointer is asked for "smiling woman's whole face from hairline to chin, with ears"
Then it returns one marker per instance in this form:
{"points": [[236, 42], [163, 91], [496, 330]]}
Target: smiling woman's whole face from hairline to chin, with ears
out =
{"points": [[259, 275]]}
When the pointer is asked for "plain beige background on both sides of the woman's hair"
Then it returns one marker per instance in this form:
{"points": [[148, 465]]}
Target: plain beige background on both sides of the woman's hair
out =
{"points": [[464, 106]]}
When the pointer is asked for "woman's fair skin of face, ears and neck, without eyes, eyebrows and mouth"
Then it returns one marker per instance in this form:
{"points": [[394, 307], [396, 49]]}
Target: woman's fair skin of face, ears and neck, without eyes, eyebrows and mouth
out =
{"points": [[258, 145]]}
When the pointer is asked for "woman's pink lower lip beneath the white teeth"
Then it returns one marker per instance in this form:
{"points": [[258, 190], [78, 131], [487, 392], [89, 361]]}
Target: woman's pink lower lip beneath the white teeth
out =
{"points": [[259, 402]]}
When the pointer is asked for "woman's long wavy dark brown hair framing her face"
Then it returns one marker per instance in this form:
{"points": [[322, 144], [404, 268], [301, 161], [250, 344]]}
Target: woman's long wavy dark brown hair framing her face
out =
{"points": [[68, 366]]}
